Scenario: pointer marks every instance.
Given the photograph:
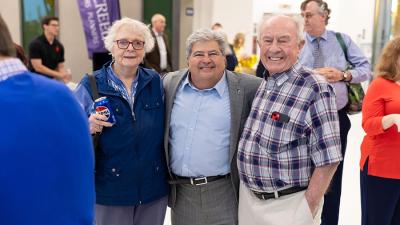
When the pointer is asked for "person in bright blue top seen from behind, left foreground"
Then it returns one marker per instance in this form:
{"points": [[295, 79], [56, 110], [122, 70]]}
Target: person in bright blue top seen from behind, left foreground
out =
{"points": [[46, 153]]}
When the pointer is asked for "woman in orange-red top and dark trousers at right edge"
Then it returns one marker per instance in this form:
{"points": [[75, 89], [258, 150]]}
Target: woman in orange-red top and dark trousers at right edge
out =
{"points": [[380, 149]]}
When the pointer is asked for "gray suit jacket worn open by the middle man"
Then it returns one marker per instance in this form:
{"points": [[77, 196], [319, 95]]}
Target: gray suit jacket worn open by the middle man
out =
{"points": [[242, 89]]}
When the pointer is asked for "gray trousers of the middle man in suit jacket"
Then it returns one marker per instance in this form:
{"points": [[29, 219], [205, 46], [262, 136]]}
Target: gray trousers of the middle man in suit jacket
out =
{"points": [[211, 204]]}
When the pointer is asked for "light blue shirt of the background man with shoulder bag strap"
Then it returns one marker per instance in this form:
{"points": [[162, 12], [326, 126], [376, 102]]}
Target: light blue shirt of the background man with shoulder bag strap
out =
{"points": [[334, 57]]}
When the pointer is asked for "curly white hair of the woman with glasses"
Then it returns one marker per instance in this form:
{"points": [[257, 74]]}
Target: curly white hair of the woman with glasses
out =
{"points": [[139, 27]]}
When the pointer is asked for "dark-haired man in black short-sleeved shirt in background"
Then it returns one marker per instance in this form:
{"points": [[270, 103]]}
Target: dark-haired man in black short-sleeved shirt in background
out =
{"points": [[46, 53]]}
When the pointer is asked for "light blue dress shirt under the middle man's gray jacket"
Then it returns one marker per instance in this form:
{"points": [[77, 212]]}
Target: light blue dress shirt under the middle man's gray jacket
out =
{"points": [[200, 130]]}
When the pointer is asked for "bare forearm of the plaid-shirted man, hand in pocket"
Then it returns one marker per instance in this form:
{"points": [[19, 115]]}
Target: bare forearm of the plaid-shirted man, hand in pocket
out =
{"points": [[319, 183]]}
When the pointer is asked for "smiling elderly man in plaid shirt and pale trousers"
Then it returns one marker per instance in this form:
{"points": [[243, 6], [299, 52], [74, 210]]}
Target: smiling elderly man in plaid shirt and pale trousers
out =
{"points": [[290, 146]]}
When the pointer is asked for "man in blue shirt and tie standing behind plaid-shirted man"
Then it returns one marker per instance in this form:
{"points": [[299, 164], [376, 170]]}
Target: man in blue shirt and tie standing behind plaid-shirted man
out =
{"points": [[323, 53]]}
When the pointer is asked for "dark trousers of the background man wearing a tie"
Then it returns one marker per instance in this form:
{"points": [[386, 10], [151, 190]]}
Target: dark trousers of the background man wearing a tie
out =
{"points": [[330, 211]]}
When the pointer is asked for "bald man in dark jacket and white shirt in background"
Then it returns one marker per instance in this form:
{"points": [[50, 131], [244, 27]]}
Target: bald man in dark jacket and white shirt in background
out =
{"points": [[160, 57]]}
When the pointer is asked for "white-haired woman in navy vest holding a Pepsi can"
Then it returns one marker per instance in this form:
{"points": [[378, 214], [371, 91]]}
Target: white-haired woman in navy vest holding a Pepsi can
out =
{"points": [[131, 185]]}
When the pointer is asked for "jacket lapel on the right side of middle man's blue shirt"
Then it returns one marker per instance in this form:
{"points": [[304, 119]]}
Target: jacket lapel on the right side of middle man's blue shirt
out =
{"points": [[236, 97]]}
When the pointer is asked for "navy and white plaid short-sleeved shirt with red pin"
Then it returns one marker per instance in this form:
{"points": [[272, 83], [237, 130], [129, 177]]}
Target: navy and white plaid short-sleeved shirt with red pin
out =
{"points": [[293, 127]]}
